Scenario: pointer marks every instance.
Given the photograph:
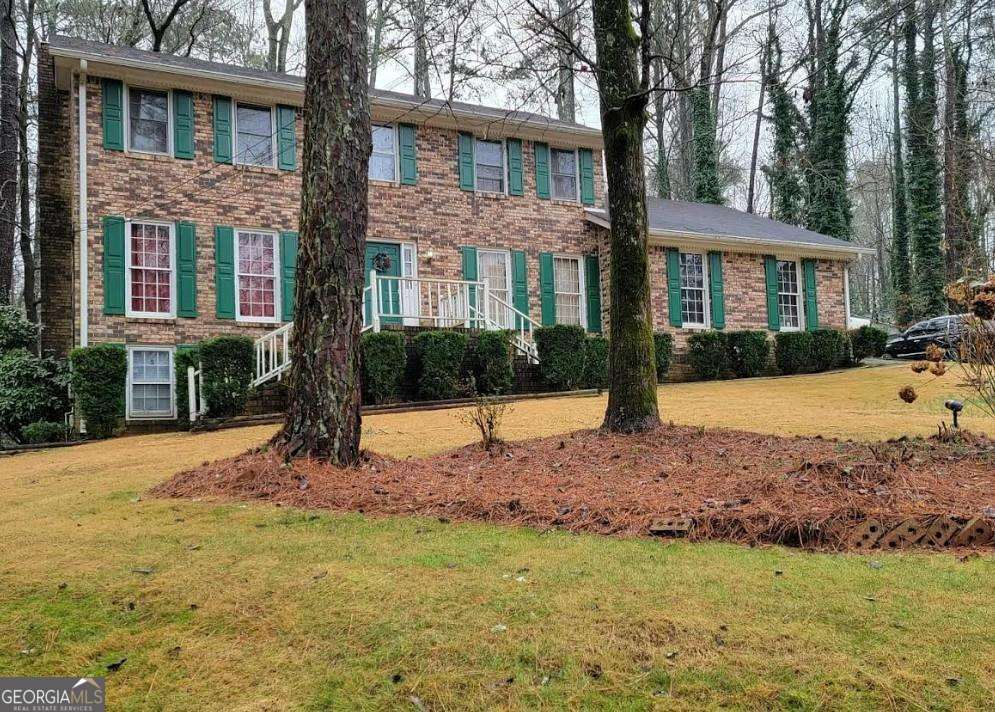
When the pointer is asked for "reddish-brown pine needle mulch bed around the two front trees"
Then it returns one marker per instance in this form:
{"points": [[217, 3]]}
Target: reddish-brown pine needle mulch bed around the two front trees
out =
{"points": [[681, 481]]}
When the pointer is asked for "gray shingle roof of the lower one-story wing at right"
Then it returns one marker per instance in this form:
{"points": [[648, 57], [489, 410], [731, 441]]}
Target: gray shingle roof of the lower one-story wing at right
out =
{"points": [[706, 220]]}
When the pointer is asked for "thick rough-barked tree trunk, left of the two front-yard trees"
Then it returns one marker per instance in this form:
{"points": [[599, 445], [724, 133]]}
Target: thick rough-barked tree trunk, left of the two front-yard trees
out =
{"points": [[323, 419]]}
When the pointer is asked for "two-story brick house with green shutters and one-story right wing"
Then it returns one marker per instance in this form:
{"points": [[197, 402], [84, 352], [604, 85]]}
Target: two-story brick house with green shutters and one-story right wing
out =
{"points": [[169, 196]]}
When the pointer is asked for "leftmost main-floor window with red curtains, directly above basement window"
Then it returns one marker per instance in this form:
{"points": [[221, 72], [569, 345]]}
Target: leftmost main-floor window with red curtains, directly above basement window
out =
{"points": [[150, 270]]}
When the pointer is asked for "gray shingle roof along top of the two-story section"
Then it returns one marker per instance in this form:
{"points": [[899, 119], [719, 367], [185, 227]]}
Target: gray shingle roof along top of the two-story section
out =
{"points": [[129, 55]]}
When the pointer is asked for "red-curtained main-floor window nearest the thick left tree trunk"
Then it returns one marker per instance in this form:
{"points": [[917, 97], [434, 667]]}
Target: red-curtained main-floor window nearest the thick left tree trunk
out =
{"points": [[256, 260]]}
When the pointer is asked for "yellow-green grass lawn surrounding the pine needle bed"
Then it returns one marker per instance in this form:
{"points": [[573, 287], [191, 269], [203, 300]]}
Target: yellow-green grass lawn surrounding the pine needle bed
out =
{"points": [[240, 606]]}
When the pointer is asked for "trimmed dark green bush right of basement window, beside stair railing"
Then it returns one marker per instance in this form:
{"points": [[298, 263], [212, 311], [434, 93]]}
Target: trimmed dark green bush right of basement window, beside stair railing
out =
{"points": [[228, 365]]}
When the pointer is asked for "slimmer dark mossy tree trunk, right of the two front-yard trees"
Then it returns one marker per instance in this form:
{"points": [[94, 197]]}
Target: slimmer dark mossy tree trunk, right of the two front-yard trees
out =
{"points": [[632, 405]]}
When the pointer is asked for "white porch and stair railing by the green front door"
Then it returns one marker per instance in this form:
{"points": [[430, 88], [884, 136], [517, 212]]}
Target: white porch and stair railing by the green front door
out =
{"points": [[411, 301]]}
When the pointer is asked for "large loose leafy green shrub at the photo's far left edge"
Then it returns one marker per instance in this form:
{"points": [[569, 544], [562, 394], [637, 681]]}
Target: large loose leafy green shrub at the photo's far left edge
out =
{"points": [[31, 389]]}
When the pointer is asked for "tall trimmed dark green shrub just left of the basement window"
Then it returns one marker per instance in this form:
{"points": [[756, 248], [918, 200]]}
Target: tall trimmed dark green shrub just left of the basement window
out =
{"points": [[98, 376]]}
